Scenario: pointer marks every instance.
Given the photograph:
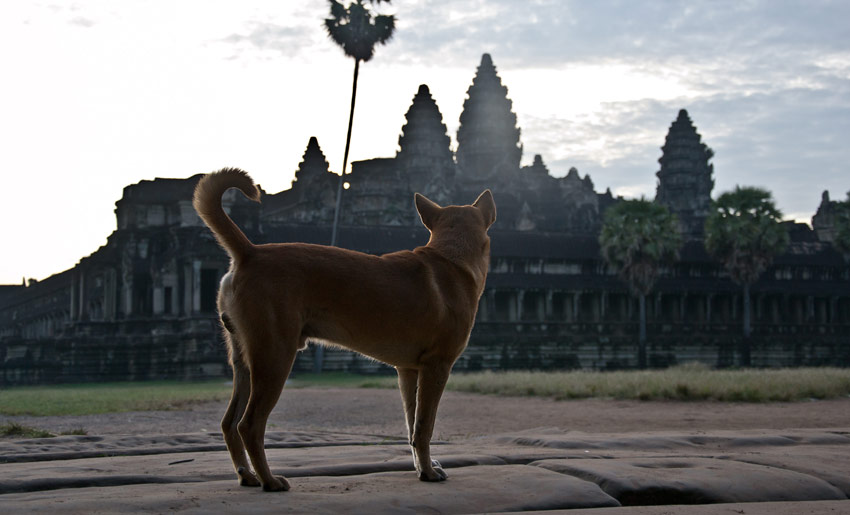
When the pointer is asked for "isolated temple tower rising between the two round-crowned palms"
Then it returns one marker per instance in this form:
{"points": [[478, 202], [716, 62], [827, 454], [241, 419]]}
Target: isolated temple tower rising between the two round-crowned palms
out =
{"points": [[685, 178]]}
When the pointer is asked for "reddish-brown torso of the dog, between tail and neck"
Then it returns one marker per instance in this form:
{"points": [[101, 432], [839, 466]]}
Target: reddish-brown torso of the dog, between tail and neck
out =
{"points": [[380, 306]]}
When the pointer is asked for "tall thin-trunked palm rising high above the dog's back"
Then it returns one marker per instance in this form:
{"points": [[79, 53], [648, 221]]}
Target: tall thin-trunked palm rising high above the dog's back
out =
{"points": [[357, 31]]}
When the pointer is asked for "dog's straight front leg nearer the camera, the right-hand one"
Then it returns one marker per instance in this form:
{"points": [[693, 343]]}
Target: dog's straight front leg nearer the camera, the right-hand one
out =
{"points": [[430, 385]]}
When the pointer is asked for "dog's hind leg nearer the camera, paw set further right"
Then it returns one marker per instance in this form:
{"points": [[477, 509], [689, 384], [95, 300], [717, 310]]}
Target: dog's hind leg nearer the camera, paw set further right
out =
{"points": [[270, 364]]}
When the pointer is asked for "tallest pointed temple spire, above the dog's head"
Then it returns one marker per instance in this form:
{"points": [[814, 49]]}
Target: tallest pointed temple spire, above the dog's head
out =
{"points": [[488, 136]]}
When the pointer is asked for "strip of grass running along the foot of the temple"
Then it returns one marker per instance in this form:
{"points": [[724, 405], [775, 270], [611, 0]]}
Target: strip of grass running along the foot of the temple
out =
{"points": [[683, 383]]}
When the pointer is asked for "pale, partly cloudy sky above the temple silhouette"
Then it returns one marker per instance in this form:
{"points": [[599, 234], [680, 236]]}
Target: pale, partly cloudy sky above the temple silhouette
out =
{"points": [[97, 95]]}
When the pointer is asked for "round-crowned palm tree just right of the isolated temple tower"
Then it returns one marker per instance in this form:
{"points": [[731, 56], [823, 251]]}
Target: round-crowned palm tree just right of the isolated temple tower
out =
{"points": [[744, 231]]}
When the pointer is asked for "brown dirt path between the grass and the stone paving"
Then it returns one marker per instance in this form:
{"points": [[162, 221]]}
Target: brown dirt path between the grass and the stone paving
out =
{"points": [[375, 411]]}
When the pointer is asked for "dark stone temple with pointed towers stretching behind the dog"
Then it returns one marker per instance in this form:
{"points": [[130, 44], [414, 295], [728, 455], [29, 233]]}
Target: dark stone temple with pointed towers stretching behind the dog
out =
{"points": [[143, 305]]}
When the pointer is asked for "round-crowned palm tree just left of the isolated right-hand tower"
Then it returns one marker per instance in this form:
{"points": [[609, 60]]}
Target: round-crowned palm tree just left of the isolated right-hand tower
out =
{"points": [[638, 237]]}
